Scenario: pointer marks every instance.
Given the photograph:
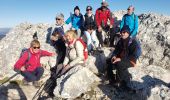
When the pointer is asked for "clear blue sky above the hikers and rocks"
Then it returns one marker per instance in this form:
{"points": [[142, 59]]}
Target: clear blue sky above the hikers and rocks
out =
{"points": [[13, 12]]}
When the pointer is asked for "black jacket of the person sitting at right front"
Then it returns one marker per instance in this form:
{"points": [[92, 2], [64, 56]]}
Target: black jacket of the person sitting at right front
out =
{"points": [[124, 50]]}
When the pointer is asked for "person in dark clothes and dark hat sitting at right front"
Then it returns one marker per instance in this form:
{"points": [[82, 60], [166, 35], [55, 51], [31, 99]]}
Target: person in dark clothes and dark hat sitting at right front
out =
{"points": [[123, 57]]}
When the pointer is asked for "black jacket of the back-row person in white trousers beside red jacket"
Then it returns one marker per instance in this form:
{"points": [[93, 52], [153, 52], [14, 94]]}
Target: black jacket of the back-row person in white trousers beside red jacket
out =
{"points": [[89, 22]]}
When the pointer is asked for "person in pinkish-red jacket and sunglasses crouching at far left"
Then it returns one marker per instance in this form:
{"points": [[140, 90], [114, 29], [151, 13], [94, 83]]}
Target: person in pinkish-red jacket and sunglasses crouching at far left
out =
{"points": [[29, 63]]}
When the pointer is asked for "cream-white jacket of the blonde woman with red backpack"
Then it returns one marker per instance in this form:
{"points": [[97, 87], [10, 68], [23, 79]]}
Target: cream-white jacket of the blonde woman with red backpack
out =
{"points": [[74, 53]]}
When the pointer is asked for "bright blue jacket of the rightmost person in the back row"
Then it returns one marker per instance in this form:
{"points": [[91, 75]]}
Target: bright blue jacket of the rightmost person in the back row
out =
{"points": [[132, 22]]}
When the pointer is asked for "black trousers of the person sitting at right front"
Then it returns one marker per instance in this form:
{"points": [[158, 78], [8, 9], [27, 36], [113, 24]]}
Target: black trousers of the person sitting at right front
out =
{"points": [[121, 70]]}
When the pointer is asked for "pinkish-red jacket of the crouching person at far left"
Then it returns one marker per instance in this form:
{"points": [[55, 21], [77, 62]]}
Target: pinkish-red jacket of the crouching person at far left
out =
{"points": [[33, 62]]}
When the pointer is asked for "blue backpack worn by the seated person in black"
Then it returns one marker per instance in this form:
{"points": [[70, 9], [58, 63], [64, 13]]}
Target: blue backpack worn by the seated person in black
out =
{"points": [[139, 49]]}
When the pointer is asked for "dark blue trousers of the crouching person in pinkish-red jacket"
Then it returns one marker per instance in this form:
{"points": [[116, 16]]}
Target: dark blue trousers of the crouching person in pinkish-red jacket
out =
{"points": [[33, 76]]}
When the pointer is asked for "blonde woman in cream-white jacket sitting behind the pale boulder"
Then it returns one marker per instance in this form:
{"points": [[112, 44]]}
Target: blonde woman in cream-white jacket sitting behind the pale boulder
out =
{"points": [[74, 52]]}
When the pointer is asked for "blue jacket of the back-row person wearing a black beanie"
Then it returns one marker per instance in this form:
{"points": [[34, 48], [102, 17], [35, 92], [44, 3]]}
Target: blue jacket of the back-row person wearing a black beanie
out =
{"points": [[77, 21]]}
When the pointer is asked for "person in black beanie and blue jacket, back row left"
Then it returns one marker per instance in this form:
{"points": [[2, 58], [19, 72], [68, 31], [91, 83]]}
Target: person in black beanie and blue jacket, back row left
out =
{"points": [[76, 20]]}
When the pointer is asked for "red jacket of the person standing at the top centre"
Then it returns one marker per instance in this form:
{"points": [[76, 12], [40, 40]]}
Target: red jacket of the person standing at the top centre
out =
{"points": [[103, 16]]}
